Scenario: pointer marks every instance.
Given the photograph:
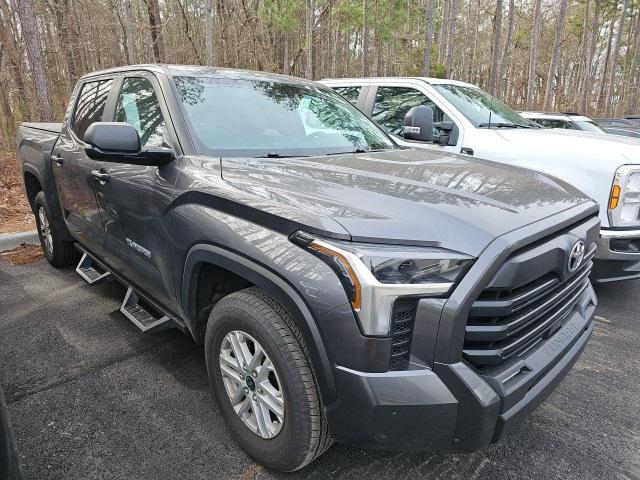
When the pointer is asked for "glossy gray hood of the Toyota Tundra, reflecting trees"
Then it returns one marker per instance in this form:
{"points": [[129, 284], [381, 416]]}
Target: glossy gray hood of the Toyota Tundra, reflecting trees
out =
{"points": [[404, 196]]}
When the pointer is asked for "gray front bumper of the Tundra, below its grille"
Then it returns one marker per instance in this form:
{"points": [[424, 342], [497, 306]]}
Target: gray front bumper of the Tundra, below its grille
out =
{"points": [[452, 406]]}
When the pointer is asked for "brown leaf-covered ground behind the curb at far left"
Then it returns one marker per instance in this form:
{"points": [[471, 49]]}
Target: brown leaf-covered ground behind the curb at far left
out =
{"points": [[15, 213]]}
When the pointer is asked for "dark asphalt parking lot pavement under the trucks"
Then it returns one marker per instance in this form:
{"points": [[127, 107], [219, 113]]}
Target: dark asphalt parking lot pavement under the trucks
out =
{"points": [[91, 397]]}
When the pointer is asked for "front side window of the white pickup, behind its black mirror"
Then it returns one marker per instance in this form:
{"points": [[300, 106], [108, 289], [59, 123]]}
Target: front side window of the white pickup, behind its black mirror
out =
{"points": [[392, 104]]}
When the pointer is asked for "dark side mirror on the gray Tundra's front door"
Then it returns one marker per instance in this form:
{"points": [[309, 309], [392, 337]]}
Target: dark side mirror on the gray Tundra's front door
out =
{"points": [[120, 143]]}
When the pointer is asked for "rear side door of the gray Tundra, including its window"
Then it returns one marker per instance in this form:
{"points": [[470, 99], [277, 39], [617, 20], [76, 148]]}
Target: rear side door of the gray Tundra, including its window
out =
{"points": [[72, 167]]}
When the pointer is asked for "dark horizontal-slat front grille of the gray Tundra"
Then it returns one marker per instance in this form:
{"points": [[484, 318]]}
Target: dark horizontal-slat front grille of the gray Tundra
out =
{"points": [[505, 323]]}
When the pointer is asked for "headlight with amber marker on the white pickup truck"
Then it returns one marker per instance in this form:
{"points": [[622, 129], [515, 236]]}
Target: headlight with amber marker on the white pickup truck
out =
{"points": [[624, 201]]}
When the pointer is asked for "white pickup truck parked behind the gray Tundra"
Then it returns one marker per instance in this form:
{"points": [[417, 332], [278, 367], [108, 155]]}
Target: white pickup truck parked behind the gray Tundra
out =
{"points": [[468, 120]]}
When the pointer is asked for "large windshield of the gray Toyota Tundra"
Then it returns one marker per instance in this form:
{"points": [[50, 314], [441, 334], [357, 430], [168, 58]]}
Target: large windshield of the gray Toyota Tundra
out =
{"points": [[239, 117]]}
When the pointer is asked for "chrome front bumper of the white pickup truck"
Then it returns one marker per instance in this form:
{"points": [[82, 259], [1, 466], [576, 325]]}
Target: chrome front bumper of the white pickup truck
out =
{"points": [[617, 256]]}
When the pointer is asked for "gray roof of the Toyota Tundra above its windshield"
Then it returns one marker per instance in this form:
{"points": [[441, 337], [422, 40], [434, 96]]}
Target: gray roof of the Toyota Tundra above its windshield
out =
{"points": [[198, 70]]}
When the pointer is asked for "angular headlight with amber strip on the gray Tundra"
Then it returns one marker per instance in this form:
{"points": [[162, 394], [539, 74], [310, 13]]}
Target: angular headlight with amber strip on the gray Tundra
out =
{"points": [[375, 275]]}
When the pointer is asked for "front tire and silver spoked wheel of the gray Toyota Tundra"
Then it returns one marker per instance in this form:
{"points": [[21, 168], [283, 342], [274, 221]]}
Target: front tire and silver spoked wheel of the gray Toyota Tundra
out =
{"points": [[303, 434]]}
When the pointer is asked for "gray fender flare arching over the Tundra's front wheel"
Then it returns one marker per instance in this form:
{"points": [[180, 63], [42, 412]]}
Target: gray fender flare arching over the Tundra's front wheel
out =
{"points": [[279, 289]]}
